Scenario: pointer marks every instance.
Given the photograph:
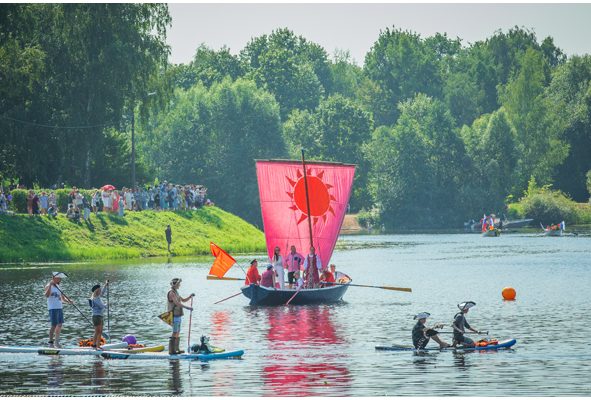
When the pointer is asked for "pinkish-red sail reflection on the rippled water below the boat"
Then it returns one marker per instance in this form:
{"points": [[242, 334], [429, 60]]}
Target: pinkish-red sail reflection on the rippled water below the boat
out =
{"points": [[303, 361]]}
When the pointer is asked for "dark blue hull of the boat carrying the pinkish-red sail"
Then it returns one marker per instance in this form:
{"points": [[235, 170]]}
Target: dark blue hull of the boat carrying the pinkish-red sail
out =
{"points": [[262, 296]]}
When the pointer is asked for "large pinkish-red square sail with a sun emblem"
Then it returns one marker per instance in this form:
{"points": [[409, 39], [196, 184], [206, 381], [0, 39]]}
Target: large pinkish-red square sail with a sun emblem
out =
{"points": [[283, 204]]}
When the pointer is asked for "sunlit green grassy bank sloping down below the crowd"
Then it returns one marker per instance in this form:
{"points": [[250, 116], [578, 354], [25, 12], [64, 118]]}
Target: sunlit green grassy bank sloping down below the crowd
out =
{"points": [[137, 234]]}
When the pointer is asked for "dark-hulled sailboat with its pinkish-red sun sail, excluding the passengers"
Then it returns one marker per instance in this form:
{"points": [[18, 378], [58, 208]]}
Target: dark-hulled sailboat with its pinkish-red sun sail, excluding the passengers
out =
{"points": [[302, 204]]}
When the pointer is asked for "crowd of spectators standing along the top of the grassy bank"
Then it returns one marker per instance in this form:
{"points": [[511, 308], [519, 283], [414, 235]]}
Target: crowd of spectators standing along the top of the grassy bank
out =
{"points": [[165, 196]]}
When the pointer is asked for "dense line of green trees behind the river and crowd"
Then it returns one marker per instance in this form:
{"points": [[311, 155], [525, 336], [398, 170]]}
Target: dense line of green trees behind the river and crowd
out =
{"points": [[441, 131]]}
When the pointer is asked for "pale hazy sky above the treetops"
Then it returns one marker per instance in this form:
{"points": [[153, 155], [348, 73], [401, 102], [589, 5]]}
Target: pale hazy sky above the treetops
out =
{"points": [[355, 27]]}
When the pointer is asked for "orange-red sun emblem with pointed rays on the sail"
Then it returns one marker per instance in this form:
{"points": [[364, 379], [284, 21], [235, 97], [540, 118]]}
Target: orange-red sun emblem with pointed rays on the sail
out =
{"points": [[318, 192]]}
